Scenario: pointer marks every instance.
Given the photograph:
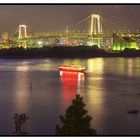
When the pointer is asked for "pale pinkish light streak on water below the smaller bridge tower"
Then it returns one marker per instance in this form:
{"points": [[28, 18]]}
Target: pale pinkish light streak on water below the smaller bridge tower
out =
{"points": [[22, 88]]}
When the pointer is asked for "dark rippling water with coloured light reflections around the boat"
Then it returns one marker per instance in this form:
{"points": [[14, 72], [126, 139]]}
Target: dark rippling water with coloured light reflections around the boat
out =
{"points": [[110, 87]]}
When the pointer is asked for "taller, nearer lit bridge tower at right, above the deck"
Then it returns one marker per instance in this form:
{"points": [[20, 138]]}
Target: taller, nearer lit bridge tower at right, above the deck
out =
{"points": [[95, 24]]}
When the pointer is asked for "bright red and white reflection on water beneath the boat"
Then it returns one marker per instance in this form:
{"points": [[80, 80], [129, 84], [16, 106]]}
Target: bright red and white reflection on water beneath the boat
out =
{"points": [[71, 83]]}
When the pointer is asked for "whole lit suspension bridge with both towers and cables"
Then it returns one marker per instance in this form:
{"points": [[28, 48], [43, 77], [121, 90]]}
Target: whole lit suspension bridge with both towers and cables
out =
{"points": [[96, 32]]}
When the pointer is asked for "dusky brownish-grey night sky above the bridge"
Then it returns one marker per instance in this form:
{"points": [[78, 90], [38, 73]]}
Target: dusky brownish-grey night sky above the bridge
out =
{"points": [[43, 18]]}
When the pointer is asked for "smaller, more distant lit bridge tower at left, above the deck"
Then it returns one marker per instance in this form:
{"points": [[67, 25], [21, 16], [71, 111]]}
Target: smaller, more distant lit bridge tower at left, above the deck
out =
{"points": [[22, 31]]}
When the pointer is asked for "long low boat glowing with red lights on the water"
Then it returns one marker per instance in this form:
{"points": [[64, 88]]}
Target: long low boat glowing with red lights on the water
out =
{"points": [[72, 68]]}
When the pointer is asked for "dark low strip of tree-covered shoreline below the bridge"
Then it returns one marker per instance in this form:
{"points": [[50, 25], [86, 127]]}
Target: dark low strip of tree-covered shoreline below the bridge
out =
{"points": [[65, 52]]}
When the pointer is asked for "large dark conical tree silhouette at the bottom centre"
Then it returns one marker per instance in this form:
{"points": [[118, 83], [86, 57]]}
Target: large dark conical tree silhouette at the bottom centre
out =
{"points": [[76, 120]]}
